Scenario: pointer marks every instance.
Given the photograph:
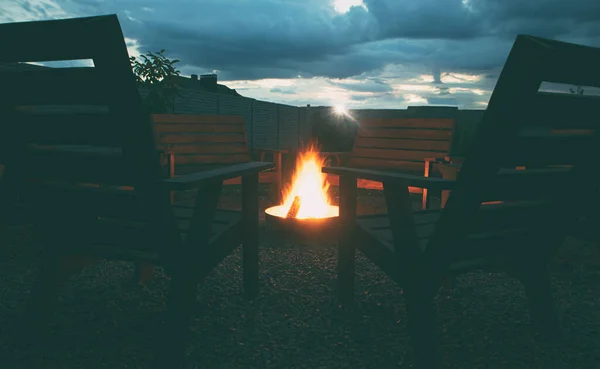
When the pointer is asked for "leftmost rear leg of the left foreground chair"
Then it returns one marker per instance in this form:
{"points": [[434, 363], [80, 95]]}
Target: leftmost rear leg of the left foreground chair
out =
{"points": [[54, 271]]}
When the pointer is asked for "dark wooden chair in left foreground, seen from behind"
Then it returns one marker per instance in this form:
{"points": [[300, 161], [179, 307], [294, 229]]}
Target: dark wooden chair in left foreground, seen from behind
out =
{"points": [[89, 168]]}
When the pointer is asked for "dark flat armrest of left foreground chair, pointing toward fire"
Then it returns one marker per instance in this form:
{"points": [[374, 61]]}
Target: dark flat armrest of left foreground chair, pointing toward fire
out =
{"points": [[200, 179]]}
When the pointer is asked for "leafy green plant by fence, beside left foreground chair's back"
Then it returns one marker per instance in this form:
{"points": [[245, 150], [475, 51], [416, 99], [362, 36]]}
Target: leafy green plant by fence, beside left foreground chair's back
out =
{"points": [[156, 74]]}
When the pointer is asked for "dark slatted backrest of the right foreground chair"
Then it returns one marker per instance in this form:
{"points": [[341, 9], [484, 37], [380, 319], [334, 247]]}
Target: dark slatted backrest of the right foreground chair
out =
{"points": [[555, 151]]}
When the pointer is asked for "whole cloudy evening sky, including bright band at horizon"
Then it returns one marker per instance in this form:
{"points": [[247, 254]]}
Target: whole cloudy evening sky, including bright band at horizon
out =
{"points": [[357, 53]]}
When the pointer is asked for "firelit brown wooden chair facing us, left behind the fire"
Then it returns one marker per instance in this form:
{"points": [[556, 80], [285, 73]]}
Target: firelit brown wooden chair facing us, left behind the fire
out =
{"points": [[196, 142]]}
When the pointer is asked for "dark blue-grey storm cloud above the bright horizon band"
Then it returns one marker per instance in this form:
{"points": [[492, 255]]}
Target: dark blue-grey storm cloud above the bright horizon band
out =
{"points": [[283, 38]]}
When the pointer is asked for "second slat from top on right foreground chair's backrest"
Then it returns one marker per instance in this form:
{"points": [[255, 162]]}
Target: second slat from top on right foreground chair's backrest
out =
{"points": [[561, 110]]}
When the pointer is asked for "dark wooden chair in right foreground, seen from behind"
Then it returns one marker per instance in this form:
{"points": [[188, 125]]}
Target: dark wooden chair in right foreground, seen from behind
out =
{"points": [[521, 233]]}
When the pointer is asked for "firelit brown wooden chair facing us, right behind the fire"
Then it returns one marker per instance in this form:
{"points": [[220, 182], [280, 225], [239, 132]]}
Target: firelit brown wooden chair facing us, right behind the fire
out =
{"points": [[407, 145]]}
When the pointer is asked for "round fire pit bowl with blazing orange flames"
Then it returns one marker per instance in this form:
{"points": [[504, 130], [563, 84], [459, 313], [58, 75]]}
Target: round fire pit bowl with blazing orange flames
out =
{"points": [[306, 210]]}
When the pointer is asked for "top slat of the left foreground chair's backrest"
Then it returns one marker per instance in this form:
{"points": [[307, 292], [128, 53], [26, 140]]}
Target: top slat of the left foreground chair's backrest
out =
{"points": [[36, 41]]}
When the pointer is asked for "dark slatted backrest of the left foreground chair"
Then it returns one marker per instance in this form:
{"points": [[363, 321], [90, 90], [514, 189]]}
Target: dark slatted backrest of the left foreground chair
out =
{"points": [[75, 124]]}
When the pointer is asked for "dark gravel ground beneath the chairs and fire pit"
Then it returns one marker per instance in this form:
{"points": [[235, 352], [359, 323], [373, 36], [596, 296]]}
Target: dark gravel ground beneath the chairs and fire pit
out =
{"points": [[104, 321]]}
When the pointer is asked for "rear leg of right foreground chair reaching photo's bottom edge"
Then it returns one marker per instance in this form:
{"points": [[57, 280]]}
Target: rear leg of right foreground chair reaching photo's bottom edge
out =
{"points": [[421, 325]]}
